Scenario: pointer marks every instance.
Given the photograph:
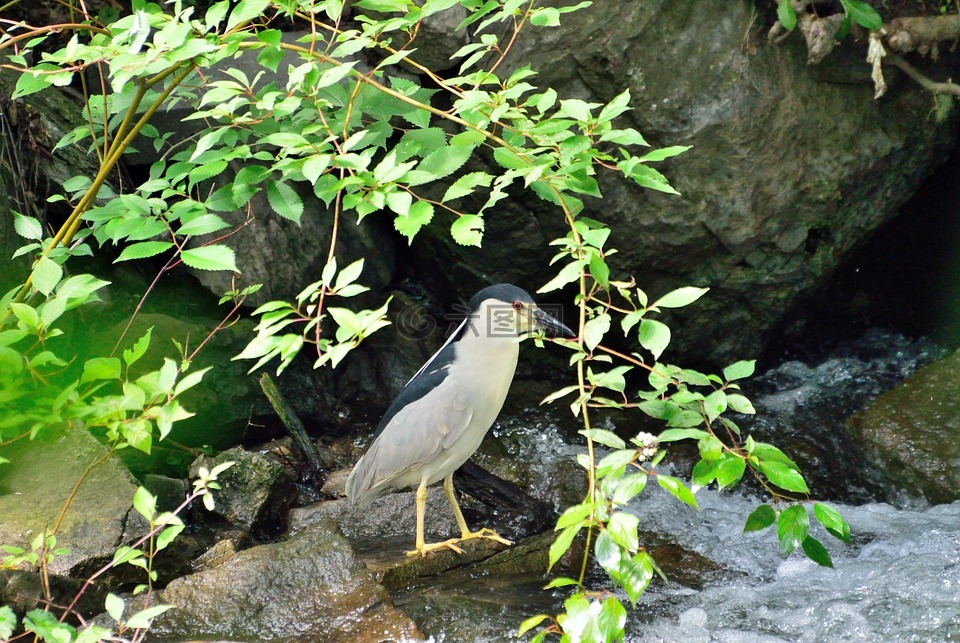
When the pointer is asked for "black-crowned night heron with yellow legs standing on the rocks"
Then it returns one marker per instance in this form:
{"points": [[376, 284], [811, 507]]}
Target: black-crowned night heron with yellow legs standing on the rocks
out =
{"points": [[442, 414]]}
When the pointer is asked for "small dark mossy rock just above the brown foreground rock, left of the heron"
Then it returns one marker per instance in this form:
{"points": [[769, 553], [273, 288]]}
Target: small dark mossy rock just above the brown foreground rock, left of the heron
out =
{"points": [[255, 492]]}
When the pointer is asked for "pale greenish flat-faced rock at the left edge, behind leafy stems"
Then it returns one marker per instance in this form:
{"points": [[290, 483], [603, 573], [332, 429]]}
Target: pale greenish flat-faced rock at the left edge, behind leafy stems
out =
{"points": [[37, 482]]}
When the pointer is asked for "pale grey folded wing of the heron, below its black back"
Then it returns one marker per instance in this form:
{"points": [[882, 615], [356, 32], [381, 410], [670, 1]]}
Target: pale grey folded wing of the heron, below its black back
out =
{"points": [[417, 434]]}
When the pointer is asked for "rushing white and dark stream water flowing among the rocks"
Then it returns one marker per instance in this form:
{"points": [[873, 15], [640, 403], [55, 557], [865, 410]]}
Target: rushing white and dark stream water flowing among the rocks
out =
{"points": [[898, 580]]}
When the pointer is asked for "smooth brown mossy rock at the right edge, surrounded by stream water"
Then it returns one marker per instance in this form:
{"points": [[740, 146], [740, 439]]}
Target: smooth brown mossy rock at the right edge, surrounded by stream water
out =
{"points": [[913, 431]]}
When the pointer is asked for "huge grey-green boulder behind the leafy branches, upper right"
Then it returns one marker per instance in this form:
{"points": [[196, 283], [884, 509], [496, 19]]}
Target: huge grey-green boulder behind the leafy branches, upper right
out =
{"points": [[791, 167]]}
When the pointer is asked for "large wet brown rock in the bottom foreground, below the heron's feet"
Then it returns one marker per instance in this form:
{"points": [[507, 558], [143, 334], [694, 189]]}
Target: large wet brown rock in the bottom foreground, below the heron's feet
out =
{"points": [[310, 587]]}
